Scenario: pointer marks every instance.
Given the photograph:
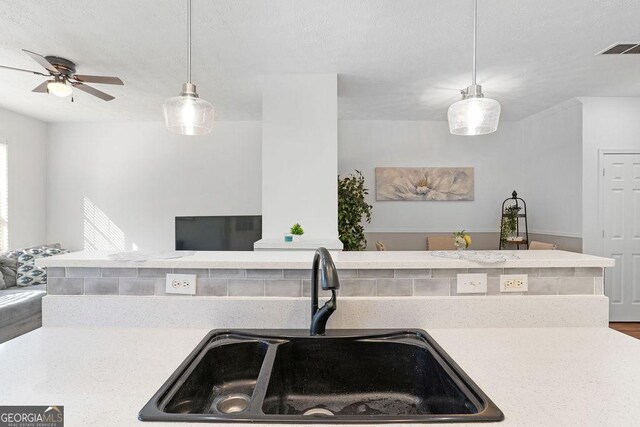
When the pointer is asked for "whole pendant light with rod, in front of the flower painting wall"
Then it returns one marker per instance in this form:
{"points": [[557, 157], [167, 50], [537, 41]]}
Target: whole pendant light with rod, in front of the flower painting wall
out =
{"points": [[474, 114]]}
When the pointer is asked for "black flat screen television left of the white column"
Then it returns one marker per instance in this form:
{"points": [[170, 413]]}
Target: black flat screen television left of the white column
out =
{"points": [[217, 233]]}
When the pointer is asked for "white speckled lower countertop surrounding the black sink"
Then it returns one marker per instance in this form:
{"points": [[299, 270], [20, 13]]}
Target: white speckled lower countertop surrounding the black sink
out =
{"points": [[538, 377]]}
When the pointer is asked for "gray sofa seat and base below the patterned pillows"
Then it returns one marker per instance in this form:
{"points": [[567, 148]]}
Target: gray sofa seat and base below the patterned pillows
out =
{"points": [[20, 310]]}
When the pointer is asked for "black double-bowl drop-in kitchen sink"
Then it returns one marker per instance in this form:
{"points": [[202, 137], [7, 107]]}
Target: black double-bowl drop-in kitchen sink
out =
{"points": [[365, 376]]}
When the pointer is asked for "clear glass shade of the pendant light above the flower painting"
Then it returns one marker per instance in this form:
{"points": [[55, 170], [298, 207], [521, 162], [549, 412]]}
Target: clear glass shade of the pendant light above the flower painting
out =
{"points": [[474, 116]]}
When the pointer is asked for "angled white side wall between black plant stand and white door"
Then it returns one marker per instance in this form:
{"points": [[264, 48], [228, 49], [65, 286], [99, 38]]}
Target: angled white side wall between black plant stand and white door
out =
{"points": [[552, 166]]}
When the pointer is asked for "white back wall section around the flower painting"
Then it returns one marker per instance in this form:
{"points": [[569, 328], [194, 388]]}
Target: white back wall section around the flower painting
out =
{"points": [[496, 158]]}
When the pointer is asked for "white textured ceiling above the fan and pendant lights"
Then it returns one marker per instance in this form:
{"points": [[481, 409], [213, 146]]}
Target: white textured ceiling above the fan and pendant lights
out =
{"points": [[397, 59]]}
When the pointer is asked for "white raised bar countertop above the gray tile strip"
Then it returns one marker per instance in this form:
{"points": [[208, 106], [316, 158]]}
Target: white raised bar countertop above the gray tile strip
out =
{"points": [[302, 260]]}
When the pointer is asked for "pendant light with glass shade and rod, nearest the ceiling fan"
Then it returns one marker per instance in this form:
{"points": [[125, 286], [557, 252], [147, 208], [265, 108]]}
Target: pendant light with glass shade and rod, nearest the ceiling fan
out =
{"points": [[187, 114]]}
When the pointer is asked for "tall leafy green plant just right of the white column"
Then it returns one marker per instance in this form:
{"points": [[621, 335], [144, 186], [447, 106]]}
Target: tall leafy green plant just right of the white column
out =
{"points": [[352, 211]]}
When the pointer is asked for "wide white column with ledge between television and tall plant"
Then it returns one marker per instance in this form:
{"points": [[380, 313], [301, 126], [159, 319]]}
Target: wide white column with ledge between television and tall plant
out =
{"points": [[300, 160]]}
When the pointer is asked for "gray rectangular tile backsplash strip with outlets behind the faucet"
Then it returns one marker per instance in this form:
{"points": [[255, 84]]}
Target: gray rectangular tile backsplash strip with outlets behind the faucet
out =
{"points": [[297, 283]]}
